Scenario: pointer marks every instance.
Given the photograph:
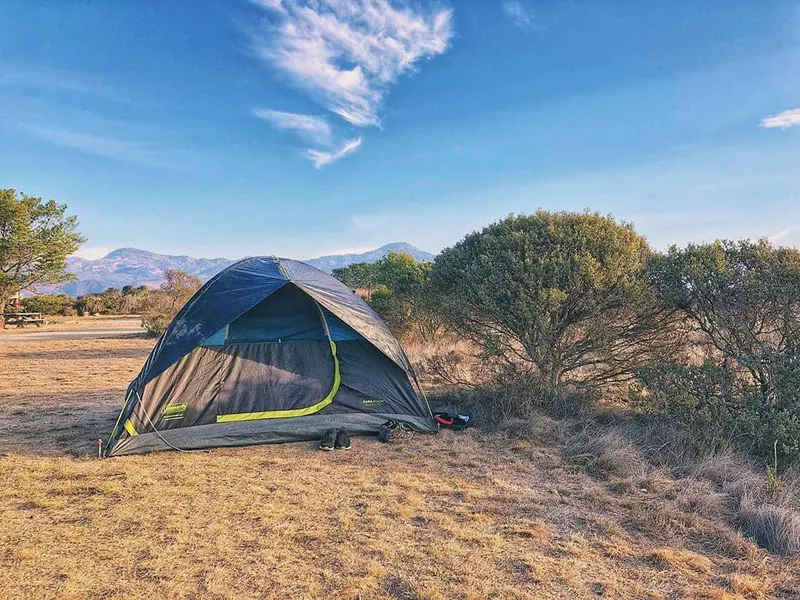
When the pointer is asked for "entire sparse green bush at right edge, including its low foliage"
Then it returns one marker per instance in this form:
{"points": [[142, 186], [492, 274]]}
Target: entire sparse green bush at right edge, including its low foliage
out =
{"points": [[743, 299]]}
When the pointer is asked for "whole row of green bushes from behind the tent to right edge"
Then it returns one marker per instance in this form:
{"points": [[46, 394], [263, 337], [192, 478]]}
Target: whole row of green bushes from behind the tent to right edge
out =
{"points": [[566, 307]]}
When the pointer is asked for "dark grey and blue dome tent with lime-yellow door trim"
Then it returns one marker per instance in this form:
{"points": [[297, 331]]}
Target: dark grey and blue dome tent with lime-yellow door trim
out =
{"points": [[269, 350]]}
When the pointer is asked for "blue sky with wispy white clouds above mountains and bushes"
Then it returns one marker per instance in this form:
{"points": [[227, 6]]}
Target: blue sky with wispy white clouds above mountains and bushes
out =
{"points": [[260, 127]]}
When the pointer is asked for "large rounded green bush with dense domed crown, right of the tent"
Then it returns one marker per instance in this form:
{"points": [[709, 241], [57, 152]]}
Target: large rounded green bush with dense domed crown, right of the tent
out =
{"points": [[560, 295]]}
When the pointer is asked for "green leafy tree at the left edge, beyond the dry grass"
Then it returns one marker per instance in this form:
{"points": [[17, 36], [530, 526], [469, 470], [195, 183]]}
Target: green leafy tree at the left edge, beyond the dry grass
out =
{"points": [[36, 237]]}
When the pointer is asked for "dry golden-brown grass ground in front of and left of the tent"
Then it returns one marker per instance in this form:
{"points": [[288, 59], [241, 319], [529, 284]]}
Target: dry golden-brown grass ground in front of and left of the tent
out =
{"points": [[471, 515]]}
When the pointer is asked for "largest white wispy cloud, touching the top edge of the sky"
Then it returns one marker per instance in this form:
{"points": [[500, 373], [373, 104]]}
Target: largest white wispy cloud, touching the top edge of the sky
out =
{"points": [[348, 53]]}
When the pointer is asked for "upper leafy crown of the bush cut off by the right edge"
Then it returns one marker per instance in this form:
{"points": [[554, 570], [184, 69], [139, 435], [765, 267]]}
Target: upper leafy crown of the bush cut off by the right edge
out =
{"points": [[744, 296]]}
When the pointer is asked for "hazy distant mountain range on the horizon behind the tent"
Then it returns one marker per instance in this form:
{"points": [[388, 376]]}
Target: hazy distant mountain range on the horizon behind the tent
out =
{"points": [[131, 266]]}
